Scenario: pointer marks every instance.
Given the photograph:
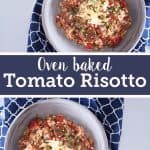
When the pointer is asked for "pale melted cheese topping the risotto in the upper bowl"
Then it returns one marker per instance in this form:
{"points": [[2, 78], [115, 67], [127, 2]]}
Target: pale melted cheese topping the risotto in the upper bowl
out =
{"points": [[93, 11]]}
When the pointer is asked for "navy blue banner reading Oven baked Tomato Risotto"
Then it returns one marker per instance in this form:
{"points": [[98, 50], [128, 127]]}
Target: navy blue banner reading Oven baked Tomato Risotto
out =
{"points": [[74, 75]]}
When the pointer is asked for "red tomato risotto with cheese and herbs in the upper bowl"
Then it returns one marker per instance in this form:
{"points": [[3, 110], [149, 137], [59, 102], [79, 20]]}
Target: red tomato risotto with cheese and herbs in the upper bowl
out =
{"points": [[94, 24]]}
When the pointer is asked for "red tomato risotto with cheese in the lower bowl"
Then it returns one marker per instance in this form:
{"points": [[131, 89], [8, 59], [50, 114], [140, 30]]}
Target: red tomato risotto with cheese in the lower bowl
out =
{"points": [[55, 133]]}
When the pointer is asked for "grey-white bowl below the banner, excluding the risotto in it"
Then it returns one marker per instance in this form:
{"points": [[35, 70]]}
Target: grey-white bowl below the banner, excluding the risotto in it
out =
{"points": [[73, 111]]}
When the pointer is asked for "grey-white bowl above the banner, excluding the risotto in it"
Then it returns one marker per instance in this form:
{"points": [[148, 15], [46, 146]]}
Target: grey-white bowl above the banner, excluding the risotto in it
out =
{"points": [[57, 38]]}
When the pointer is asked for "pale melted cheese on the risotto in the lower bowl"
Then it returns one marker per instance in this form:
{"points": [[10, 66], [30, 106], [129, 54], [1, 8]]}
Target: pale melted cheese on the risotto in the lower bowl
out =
{"points": [[54, 145]]}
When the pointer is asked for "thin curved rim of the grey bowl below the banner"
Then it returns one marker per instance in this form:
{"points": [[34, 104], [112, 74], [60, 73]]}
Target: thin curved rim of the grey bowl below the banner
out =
{"points": [[53, 100]]}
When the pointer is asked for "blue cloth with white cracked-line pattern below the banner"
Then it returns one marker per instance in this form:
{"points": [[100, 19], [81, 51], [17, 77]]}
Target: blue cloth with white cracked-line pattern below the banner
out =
{"points": [[108, 111]]}
